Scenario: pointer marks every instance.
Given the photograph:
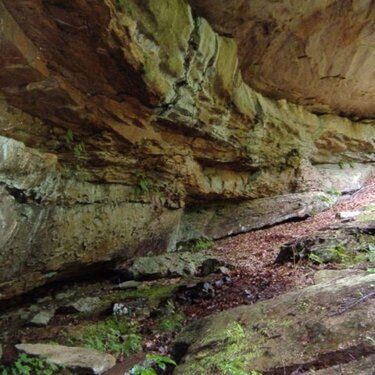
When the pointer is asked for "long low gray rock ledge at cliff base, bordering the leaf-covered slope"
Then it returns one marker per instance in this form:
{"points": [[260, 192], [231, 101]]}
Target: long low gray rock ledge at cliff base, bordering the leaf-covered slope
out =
{"points": [[217, 220]]}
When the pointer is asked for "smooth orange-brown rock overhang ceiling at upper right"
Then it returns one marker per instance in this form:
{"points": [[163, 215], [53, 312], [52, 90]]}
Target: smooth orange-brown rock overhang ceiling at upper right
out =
{"points": [[316, 53]]}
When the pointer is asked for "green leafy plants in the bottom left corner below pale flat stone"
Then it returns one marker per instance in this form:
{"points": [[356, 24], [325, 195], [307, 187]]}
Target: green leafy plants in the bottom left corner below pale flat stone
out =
{"points": [[26, 365]]}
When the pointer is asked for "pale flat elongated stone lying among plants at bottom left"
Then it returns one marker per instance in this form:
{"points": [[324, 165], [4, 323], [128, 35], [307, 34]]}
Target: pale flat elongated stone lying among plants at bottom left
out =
{"points": [[74, 358]]}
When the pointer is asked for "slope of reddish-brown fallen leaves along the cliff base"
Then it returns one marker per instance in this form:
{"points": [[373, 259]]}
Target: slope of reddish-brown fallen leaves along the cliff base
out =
{"points": [[256, 276]]}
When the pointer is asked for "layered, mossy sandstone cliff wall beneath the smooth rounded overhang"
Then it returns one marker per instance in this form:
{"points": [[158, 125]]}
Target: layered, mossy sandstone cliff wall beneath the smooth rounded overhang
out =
{"points": [[127, 127]]}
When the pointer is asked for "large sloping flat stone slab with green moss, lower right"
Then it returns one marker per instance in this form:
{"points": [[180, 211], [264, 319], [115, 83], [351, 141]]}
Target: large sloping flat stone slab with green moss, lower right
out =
{"points": [[324, 325]]}
